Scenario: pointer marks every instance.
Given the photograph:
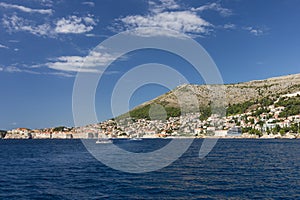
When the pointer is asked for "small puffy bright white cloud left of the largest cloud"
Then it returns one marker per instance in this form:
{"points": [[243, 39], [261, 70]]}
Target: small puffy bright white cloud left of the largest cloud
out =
{"points": [[74, 24]]}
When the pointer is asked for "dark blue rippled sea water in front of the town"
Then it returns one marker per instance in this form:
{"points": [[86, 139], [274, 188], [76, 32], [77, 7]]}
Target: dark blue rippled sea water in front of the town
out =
{"points": [[235, 169]]}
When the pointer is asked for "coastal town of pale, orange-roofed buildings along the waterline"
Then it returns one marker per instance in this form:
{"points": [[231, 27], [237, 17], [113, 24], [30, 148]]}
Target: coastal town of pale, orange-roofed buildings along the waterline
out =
{"points": [[273, 120]]}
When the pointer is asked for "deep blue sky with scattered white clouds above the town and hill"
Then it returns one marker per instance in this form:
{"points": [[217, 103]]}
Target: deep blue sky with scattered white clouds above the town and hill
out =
{"points": [[43, 44]]}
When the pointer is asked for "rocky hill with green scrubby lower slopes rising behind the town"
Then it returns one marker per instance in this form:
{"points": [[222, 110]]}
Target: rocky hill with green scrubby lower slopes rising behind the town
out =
{"points": [[236, 98]]}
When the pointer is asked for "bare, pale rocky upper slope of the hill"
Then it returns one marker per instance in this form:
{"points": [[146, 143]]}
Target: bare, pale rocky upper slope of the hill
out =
{"points": [[228, 94]]}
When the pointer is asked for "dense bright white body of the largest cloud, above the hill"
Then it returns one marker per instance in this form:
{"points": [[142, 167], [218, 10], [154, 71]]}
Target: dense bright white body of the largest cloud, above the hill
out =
{"points": [[179, 21]]}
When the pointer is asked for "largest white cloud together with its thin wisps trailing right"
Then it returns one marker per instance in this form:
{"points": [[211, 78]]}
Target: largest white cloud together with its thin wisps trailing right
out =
{"points": [[171, 18]]}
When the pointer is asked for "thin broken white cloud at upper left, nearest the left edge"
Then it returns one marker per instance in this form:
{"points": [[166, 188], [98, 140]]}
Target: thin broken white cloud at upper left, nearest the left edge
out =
{"points": [[15, 24]]}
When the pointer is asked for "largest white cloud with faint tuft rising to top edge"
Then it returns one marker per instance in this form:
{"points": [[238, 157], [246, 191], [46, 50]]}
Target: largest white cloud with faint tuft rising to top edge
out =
{"points": [[166, 15]]}
